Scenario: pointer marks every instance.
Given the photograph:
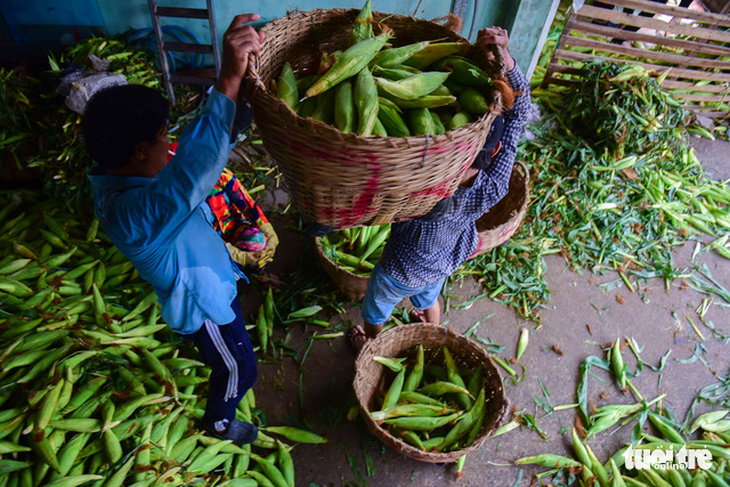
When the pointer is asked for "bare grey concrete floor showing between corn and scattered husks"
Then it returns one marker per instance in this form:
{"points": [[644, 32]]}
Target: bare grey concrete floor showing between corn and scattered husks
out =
{"points": [[584, 312]]}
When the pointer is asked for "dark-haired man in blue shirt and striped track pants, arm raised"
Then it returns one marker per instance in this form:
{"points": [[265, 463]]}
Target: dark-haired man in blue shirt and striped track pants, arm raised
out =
{"points": [[151, 210]]}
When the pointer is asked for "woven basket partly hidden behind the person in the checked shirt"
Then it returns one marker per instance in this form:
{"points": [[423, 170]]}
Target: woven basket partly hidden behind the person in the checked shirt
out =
{"points": [[504, 218]]}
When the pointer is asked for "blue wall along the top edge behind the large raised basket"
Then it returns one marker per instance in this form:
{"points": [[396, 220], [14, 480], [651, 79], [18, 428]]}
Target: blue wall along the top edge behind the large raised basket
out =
{"points": [[525, 19]]}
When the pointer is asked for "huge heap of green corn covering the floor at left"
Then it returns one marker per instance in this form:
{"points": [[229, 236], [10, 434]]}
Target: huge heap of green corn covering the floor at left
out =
{"points": [[93, 387]]}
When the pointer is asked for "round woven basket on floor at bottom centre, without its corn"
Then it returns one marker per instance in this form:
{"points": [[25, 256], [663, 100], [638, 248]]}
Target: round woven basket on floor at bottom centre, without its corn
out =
{"points": [[371, 379]]}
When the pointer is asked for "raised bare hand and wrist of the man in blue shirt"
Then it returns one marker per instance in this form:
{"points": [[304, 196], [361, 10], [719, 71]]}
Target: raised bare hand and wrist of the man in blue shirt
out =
{"points": [[239, 41]]}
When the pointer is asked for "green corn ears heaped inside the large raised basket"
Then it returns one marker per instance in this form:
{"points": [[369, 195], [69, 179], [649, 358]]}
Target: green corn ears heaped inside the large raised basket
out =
{"points": [[371, 89]]}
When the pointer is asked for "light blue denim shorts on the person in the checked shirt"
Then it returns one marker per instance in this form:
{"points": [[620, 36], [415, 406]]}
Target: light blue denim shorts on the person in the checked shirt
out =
{"points": [[384, 293]]}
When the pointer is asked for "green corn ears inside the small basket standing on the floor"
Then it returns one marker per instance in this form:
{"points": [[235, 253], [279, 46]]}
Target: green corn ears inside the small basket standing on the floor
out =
{"points": [[435, 408]]}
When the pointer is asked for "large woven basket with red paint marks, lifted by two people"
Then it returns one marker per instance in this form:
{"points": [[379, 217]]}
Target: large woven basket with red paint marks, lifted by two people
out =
{"points": [[345, 180]]}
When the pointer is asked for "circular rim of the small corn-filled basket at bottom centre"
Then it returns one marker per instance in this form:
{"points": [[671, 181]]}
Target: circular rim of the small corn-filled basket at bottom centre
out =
{"points": [[401, 446]]}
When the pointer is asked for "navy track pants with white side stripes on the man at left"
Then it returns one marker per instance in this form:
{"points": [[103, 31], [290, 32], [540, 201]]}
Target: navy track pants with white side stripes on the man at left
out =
{"points": [[227, 350]]}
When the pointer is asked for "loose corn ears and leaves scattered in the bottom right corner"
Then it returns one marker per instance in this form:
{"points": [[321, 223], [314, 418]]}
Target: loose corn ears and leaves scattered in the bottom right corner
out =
{"points": [[656, 461]]}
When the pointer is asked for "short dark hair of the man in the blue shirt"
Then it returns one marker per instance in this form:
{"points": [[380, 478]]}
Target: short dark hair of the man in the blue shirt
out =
{"points": [[117, 118]]}
